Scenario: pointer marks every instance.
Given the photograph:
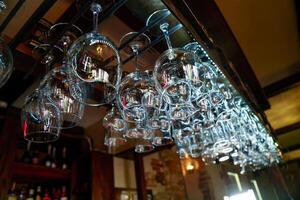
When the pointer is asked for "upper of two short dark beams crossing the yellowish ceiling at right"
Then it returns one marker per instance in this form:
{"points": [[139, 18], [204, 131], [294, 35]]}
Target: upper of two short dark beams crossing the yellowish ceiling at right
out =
{"points": [[282, 85]]}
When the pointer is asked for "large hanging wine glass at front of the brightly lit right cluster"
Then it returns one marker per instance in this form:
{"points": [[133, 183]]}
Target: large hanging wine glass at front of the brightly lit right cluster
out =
{"points": [[173, 70]]}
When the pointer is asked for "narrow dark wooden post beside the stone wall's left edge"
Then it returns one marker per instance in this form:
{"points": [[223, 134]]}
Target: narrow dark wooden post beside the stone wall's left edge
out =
{"points": [[140, 176]]}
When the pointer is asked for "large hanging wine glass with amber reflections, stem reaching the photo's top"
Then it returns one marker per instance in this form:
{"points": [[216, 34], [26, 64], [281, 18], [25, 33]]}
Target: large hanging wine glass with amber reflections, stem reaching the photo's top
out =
{"points": [[96, 61]]}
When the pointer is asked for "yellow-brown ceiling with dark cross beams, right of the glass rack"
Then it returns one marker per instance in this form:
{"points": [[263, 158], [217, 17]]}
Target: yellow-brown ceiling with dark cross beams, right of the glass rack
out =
{"points": [[268, 34]]}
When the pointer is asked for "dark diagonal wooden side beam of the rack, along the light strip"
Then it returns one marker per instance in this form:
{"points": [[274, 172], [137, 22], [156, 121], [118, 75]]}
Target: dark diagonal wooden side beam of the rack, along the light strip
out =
{"points": [[206, 21]]}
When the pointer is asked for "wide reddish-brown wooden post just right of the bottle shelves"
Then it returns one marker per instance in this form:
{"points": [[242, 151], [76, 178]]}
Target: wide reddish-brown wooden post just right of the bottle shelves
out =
{"points": [[102, 176]]}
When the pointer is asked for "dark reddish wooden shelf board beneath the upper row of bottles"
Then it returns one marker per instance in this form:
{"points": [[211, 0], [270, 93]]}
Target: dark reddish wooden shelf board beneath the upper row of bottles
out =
{"points": [[21, 170]]}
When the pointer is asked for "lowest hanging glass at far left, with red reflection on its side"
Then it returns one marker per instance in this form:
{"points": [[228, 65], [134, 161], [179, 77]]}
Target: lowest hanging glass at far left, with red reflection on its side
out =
{"points": [[41, 119]]}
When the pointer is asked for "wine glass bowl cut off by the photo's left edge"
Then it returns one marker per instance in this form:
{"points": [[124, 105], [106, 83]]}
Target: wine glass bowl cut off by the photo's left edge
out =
{"points": [[6, 63]]}
